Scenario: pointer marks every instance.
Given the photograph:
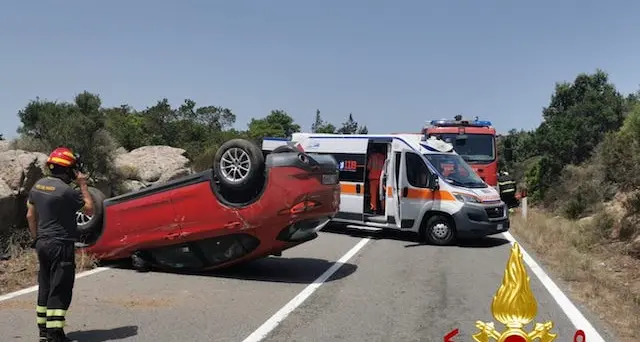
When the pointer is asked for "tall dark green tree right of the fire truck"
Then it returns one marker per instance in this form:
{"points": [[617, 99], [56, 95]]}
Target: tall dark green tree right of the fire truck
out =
{"points": [[577, 119]]}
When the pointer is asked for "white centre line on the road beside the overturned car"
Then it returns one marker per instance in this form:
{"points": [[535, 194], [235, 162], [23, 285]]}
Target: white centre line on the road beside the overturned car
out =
{"points": [[279, 316]]}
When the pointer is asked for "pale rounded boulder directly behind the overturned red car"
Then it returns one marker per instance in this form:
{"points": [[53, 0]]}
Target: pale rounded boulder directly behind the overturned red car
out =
{"points": [[150, 163]]}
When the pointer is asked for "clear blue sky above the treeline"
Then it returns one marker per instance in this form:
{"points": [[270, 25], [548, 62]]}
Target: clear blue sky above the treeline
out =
{"points": [[393, 64]]}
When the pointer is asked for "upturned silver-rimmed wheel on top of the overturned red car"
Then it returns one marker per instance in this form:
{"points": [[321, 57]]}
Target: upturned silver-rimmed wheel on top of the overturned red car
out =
{"points": [[238, 164]]}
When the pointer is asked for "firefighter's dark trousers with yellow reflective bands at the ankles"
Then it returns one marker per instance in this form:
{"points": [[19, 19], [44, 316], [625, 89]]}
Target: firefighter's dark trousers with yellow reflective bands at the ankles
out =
{"points": [[56, 278]]}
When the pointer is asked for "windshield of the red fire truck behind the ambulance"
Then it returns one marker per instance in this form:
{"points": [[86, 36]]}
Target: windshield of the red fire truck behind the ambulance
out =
{"points": [[471, 147]]}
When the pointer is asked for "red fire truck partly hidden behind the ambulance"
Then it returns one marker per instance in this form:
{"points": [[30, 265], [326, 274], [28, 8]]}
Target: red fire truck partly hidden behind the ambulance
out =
{"points": [[473, 140]]}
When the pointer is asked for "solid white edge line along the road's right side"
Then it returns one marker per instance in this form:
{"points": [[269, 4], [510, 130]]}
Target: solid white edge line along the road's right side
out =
{"points": [[572, 312]]}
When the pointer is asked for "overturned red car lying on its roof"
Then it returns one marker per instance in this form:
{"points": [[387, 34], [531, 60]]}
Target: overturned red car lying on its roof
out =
{"points": [[247, 206]]}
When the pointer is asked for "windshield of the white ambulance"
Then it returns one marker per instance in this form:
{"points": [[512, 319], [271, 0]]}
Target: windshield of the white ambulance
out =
{"points": [[455, 170]]}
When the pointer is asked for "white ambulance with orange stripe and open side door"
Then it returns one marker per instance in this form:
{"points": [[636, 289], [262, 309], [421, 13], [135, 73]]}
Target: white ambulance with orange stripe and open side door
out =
{"points": [[424, 187]]}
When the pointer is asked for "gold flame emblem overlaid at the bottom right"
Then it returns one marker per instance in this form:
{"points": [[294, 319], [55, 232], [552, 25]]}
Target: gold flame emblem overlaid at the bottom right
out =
{"points": [[514, 306]]}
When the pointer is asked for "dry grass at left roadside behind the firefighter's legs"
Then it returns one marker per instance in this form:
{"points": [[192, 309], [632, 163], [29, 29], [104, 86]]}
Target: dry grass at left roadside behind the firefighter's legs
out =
{"points": [[21, 270]]}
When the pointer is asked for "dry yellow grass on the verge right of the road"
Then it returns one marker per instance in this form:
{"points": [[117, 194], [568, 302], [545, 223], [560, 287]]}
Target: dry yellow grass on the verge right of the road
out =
{"points": [[600, 275]]}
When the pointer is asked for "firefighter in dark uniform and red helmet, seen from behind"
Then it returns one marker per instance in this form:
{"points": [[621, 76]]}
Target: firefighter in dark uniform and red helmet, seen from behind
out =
{"points": [[51, 212]]}
